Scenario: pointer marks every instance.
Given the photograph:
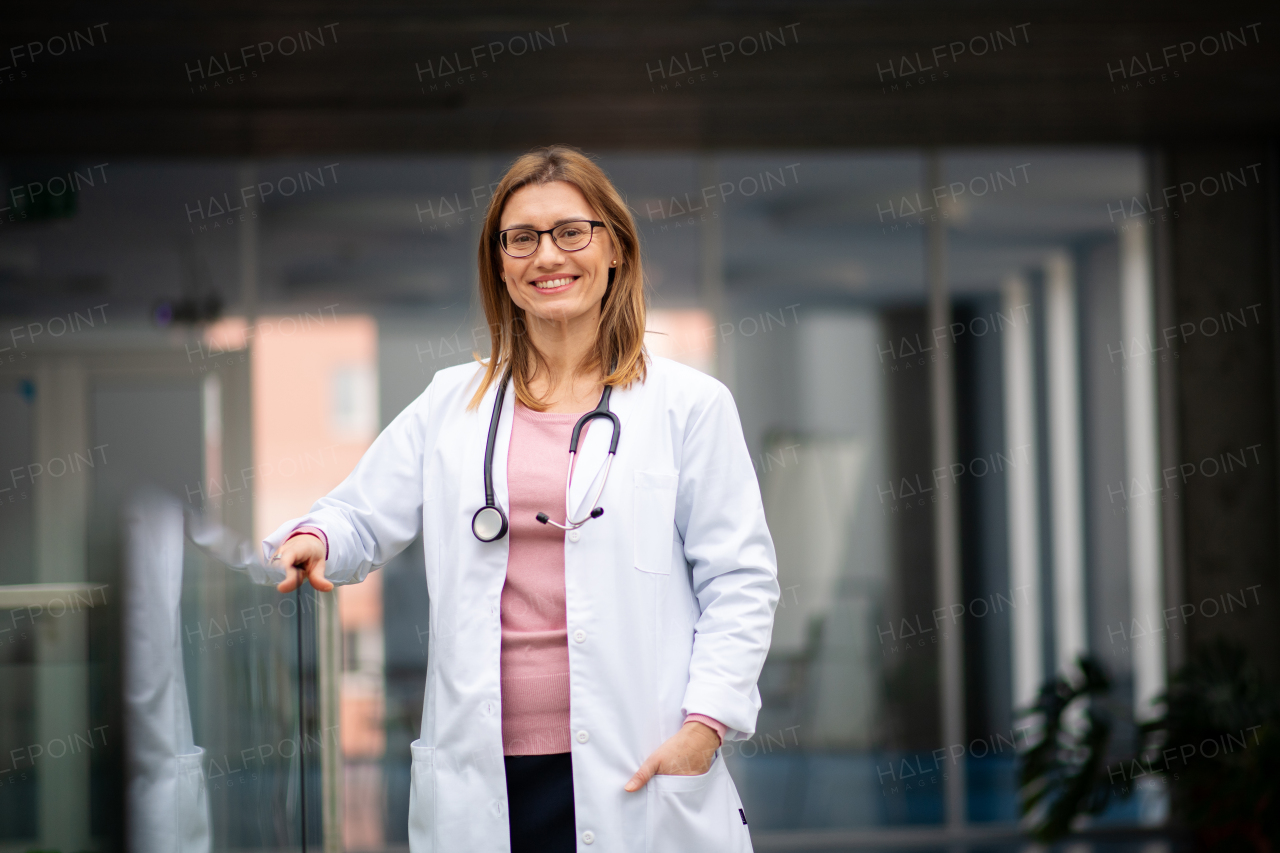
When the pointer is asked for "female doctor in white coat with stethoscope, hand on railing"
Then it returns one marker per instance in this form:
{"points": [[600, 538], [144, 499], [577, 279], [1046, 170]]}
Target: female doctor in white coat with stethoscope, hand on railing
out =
{"points": [[598, 619]]}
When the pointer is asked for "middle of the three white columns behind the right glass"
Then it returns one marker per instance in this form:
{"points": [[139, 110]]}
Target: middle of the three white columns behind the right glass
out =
{"points": [[1062, 345]]}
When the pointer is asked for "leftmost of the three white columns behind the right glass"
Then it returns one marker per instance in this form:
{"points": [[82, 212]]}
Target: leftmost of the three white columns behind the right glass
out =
{"points": [[1025, 563]]}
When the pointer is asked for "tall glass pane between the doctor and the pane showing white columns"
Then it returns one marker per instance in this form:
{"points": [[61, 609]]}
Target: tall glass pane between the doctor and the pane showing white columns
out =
{"points": [[824, 340]]}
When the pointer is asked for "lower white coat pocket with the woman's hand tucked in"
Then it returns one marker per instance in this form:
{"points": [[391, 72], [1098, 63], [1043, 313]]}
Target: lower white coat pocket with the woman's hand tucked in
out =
{"points": [[697, 814]]}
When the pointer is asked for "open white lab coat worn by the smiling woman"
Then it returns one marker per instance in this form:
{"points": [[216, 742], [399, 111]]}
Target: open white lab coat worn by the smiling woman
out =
{"points": [[670, 601]]}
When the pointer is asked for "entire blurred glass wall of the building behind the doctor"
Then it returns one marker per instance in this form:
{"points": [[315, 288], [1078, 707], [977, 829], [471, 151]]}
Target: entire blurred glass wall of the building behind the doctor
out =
{"points": [[797, 279]]}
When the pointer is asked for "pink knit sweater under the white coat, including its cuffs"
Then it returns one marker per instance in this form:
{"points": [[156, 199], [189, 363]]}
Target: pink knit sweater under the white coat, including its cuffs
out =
{"points": [[534, 632]]}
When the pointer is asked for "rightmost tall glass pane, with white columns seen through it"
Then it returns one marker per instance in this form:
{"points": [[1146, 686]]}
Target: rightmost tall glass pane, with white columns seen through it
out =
{"points": [[1035, 262]]}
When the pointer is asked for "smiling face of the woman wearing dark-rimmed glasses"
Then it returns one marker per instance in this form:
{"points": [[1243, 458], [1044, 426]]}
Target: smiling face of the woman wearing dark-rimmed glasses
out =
{"points": [[555, 285]]}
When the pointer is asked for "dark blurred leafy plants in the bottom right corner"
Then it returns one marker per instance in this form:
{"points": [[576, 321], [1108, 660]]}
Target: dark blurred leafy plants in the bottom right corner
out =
{"points": [[1217, 746]]}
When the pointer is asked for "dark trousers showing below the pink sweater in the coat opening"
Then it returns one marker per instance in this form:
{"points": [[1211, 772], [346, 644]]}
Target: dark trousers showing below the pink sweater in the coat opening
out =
{"points": [[541, 801]]}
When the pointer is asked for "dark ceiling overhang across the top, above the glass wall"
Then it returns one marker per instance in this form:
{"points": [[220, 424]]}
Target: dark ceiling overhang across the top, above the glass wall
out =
{"points": [[346, 79]]}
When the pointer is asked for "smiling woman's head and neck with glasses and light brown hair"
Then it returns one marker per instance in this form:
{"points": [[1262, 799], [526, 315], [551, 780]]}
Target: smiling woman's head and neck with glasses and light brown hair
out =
{"points": [[575, 302]]}
